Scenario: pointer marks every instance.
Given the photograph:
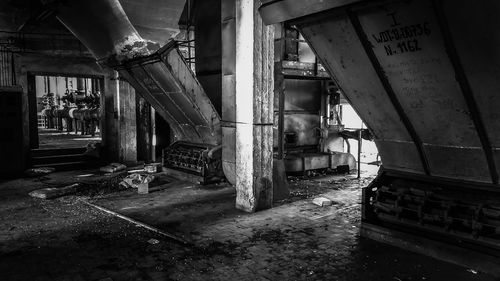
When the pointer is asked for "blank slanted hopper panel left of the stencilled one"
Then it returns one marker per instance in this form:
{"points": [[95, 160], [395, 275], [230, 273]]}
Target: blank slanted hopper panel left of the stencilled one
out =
{"points": [[336, 43]]}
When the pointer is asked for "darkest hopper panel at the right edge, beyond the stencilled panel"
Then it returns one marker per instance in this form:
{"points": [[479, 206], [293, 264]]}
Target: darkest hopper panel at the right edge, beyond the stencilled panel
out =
{"points": [[479, 55]]}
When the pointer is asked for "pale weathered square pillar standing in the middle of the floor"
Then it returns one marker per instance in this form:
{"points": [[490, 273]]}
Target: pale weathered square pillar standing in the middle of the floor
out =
{"points": [[253, 103]]}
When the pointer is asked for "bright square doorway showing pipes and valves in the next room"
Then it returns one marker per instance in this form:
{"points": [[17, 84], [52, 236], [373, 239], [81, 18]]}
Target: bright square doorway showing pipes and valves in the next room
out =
{"points": [[66, 110]]}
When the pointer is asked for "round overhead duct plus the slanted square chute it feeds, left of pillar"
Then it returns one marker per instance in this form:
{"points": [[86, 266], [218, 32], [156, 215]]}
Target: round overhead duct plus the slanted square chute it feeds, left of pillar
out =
{"points": [[160, 75]]}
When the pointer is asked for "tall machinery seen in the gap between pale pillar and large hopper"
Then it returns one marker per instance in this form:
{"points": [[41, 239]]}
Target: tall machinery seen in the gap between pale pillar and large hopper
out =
{"points": [[308, 111]]}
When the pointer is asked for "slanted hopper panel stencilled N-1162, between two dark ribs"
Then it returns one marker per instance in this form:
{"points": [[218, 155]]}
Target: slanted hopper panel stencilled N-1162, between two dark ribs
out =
{"points": [[408, 42]]}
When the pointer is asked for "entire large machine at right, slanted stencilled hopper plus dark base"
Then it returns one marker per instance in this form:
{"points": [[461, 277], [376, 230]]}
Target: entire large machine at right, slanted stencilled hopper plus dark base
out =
{"points": [[423, 75]]}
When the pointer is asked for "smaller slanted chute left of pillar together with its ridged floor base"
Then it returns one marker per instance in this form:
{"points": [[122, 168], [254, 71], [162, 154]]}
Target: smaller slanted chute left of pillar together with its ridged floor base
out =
{"points": [[195, 153]]}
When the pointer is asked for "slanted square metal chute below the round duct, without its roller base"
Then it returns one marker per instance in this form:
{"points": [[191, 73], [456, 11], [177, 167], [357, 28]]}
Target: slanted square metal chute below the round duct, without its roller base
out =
{"points": [[168, 83]]}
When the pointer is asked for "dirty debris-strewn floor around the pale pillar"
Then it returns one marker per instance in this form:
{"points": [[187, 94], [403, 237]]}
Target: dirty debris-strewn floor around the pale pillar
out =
{"points": [[65, 239]]}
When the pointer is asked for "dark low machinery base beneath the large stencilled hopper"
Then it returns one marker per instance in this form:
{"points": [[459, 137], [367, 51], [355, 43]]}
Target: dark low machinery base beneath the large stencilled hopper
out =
{"points": [[456, 210]]}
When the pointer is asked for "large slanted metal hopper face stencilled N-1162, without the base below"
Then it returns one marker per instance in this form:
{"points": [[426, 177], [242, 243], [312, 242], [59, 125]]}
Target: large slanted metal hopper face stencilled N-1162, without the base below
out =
{"points": [[411, 75]]}
